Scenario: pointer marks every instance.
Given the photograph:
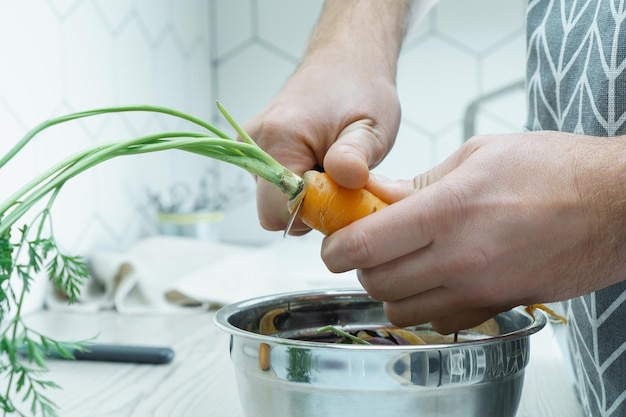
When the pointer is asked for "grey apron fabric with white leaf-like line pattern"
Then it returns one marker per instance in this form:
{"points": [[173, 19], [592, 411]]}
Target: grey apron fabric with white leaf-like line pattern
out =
{"points": [[576, 83]]}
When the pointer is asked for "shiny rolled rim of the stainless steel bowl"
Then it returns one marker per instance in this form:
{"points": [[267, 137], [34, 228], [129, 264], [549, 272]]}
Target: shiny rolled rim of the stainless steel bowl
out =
{"points": [[221, 320]]}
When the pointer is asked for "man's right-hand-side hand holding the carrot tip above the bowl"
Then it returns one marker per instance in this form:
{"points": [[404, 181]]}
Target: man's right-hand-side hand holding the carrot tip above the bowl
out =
{"points": [[505, 221]]}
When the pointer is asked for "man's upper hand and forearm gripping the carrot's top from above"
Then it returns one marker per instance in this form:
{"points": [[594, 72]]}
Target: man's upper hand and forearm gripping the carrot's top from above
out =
{"points": [[340, 109]]}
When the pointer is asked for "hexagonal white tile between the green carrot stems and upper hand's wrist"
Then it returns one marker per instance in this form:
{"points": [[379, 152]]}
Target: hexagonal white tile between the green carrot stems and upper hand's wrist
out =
{"points": [[246, 89]]}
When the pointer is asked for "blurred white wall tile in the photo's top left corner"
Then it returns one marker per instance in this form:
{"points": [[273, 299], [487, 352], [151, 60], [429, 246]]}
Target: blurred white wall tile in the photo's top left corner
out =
{"points": [[30, 74]]}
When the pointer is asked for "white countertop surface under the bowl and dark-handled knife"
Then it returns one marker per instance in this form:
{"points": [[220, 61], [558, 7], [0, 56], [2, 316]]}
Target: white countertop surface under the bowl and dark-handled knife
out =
{"points": [[200, 381]]}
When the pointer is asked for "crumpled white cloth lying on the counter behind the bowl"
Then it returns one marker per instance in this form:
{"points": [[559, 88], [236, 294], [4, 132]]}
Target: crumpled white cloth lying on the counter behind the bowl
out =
{"points": [[165, 274]]}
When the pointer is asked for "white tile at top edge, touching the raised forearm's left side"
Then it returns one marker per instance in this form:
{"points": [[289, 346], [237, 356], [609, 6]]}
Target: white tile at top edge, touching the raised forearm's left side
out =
{"points": [[287, 24]]}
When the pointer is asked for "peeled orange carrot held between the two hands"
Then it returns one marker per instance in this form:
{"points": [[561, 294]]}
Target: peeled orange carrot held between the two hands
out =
{"points": [[328, 207]]}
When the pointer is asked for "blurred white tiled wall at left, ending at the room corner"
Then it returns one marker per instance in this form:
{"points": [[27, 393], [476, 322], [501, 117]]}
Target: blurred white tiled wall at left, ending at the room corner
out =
{"points": [[61, 56]]}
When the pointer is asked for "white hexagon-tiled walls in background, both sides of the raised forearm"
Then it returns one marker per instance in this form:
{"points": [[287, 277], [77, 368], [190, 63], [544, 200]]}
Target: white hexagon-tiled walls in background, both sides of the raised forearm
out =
{"points": [[461, 72]]}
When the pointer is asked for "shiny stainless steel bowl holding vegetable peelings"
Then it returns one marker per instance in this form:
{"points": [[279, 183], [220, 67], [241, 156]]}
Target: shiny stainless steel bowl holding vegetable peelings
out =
{"points": [[278, 375]]}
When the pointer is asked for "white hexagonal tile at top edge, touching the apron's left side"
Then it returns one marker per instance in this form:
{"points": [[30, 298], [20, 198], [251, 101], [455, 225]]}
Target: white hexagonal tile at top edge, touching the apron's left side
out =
{"points": [[480, 24]]}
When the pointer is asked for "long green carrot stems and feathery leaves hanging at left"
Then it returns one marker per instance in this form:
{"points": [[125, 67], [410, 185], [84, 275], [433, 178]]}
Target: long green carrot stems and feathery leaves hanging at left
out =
{"points": [[30, 249]]}
